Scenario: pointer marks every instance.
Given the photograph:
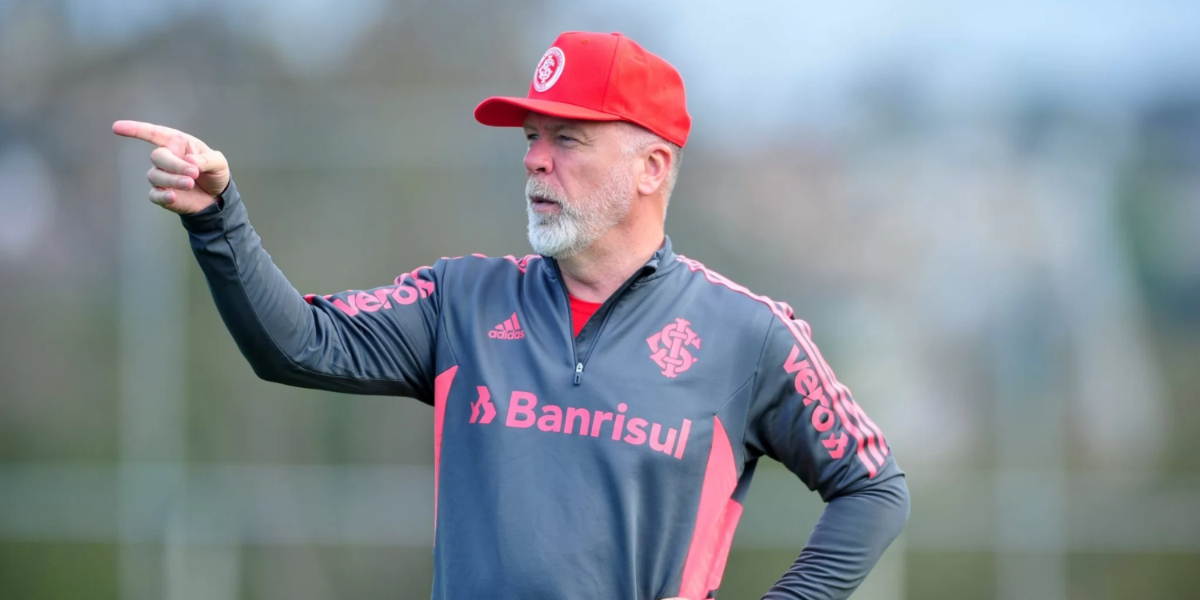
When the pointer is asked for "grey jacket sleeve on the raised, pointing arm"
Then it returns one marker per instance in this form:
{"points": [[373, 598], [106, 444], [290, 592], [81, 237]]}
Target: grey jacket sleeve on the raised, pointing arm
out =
{"points": [[380, 341]]}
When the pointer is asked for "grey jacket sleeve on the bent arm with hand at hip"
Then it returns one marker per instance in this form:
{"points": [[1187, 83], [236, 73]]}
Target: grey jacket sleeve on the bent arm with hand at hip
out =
{"points": [[805, 418]]}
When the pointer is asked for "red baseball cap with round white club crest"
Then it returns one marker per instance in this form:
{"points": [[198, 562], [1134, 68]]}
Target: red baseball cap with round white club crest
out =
{"points": [[599, 77]]}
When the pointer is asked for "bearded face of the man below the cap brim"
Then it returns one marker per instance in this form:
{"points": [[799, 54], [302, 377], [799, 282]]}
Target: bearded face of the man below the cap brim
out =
{"points": [[580, 183]]}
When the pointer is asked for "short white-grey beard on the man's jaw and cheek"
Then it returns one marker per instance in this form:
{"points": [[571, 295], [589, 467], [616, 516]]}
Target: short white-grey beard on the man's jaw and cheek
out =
{"points": [[580, 223]]}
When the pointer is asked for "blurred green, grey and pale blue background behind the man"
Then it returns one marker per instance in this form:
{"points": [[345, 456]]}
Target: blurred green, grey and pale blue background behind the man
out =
{"points": [[989, 213]]}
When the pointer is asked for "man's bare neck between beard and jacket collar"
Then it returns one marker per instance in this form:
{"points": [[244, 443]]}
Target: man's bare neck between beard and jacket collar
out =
{"points": [[598, 272]]}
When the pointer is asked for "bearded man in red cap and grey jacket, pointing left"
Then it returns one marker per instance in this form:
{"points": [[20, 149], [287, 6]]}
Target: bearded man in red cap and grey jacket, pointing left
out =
{"points": [[598, 409]]}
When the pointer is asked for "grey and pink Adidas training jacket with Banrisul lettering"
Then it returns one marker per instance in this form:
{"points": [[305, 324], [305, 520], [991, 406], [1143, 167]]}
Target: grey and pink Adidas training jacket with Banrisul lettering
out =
{"points": [[607, 466]]}
